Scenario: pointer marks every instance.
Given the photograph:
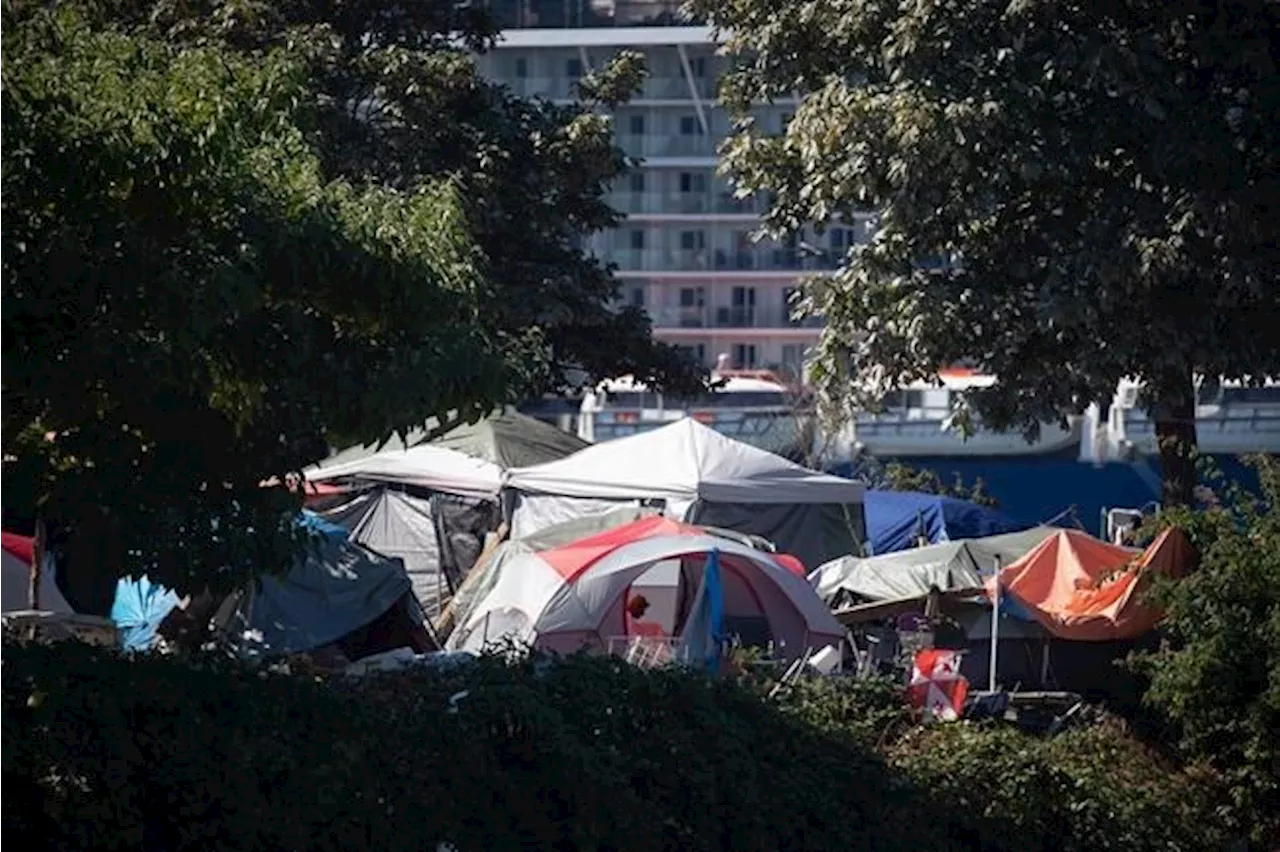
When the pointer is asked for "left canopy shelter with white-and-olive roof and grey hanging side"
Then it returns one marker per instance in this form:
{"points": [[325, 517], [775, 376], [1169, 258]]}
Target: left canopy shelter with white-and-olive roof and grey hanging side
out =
{"points": [[432, 505]]}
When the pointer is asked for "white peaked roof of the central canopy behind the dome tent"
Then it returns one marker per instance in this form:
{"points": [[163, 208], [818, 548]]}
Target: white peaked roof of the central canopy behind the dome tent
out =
{"points": [[684, 461]]}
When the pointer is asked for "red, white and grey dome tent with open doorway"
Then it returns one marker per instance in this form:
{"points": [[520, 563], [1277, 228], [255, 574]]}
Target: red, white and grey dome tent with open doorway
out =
{"points": [[577, 597]]}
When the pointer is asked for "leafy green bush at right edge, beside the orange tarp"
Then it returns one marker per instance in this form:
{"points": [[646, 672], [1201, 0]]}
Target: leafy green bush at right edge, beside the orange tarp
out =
{"points": [[1218, 675]]}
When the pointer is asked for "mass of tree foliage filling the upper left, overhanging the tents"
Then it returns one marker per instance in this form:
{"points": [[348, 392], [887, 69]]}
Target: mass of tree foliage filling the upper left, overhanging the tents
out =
{"points": [[235, 233]]}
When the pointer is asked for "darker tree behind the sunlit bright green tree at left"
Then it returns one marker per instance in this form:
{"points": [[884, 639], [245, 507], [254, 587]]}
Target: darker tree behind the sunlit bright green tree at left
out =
{"points": [[397, 99]]}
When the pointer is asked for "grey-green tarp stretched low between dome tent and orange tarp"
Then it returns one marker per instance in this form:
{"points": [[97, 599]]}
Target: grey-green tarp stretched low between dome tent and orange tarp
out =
{"points": [[911, 574]]}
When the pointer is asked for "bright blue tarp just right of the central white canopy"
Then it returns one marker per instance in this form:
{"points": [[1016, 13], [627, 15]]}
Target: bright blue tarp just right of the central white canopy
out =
{"points": [[897, 520]]}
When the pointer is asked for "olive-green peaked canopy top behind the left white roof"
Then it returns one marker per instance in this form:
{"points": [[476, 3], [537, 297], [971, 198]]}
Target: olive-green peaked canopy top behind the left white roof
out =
{"points": [[506, 439]]}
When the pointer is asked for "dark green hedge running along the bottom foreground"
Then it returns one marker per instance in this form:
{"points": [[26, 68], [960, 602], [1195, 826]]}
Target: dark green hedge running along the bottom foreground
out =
{"points": [[107, 754]]}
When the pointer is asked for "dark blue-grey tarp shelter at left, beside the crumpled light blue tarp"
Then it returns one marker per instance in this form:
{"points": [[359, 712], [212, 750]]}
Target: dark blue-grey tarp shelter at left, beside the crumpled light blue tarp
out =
{"points": [[337, 589]]}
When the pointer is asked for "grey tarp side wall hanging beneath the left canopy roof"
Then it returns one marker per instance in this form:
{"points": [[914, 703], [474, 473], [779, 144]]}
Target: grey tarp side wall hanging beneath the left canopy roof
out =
{"points": [[438, 537]]}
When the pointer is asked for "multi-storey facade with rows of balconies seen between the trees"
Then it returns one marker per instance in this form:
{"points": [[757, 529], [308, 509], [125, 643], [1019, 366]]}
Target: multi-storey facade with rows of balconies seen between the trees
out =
{"points": [[685, 254]]}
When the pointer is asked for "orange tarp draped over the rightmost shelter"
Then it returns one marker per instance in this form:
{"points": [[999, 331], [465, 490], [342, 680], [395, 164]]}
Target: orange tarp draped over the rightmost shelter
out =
{"points": [[1089, 590]]}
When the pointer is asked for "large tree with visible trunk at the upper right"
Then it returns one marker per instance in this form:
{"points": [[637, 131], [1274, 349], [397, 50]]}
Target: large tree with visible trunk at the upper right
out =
{"points": [[1071, 194]]}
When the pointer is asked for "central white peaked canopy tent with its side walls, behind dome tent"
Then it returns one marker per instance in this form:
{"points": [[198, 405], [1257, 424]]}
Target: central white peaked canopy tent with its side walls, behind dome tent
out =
{"points": [[700, 477]]}
